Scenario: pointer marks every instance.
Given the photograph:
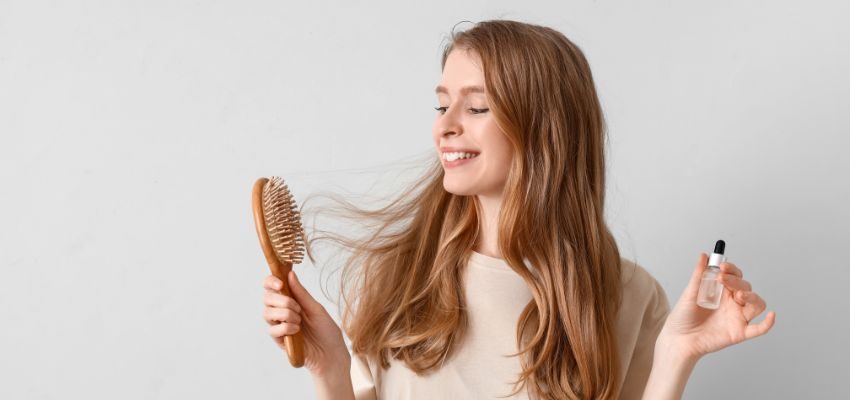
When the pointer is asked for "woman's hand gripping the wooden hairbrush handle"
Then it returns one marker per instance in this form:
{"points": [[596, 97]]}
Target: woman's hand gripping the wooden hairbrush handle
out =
{"points": [[325, 352]]}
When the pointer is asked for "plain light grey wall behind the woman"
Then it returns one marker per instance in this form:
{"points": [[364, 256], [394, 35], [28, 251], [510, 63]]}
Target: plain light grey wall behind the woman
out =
{"points": [[132, 133]]}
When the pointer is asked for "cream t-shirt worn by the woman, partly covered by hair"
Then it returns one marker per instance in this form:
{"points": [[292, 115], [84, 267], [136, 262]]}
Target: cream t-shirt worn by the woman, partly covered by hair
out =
{"points": [[496, 296]]}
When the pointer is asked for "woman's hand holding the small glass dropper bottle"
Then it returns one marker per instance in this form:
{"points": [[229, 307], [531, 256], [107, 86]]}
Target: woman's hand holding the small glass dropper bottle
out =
{"points": [[693, 331]]}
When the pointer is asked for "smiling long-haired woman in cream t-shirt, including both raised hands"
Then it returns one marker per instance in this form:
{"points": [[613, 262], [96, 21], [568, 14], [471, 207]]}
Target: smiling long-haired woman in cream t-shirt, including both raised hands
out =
{"points": [[501, 277]]}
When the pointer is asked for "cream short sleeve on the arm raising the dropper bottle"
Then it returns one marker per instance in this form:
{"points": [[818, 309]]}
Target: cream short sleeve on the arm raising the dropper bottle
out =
{"points": [[654, 316]]}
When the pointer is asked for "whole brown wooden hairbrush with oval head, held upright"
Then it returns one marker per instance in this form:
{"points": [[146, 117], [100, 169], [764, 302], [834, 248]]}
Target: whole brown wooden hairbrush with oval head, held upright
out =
{"points": [[278, 224]]}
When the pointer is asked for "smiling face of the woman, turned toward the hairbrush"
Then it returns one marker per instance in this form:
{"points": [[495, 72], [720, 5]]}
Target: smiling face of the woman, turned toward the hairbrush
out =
{"points": [[465, 124]]}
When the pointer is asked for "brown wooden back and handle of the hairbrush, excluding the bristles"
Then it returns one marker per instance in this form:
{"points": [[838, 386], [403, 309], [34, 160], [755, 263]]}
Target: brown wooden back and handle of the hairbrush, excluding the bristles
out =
{"points": [[294, 343]]}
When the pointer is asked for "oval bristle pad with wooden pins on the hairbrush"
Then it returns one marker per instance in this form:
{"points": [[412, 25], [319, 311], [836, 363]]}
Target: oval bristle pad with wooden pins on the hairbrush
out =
{"points": [[283, 221]]}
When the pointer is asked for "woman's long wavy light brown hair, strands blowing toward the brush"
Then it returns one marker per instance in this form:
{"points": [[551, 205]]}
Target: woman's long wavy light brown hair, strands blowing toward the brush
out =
{"points": [[402, 284]]}
